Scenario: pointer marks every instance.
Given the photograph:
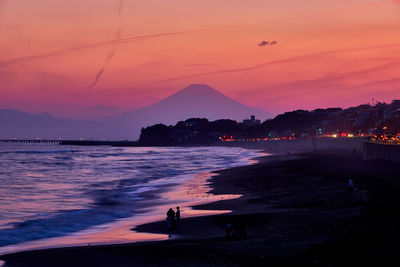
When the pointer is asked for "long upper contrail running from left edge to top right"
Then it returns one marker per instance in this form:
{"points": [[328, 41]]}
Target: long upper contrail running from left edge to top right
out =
{"points": [[132, 39]]}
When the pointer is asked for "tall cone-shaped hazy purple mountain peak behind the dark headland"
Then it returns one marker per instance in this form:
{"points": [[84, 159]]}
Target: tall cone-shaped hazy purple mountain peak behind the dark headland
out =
{"points": [[194, 101]]}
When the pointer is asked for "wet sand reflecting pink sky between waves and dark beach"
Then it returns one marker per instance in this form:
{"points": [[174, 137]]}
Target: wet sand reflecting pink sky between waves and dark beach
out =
{"points": [[198, 186]]}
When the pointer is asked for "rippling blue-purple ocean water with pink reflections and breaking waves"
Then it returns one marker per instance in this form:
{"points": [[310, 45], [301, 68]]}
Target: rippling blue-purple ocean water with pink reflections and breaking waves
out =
{"points": [[52, 191]]}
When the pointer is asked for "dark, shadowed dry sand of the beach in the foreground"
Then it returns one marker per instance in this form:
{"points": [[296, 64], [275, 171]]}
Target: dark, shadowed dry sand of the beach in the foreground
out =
{"points": [[297, 209]]}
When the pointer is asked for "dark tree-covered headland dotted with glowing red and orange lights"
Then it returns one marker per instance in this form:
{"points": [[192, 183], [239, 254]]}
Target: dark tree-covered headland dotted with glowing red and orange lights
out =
{"points": [[378, 121]]}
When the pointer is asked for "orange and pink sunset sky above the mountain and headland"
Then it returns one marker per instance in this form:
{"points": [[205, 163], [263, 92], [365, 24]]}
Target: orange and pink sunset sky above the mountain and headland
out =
{"points": [[92, 58]]}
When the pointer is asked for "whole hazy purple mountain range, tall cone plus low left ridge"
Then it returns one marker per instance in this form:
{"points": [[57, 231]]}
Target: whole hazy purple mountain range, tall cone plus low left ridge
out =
{"points": [[197, 100]]}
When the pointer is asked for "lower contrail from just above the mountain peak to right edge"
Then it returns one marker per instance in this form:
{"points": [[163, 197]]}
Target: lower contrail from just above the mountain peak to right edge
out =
{"points": [[274, 62]]}
